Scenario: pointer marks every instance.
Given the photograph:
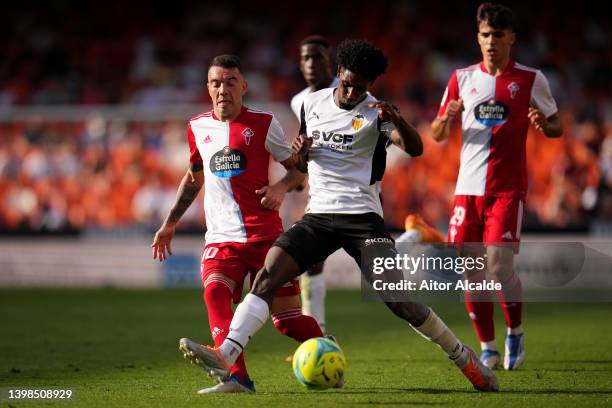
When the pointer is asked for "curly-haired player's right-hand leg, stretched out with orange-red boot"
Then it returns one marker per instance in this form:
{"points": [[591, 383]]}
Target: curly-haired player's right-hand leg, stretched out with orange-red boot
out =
{"points": [[420, 317]]}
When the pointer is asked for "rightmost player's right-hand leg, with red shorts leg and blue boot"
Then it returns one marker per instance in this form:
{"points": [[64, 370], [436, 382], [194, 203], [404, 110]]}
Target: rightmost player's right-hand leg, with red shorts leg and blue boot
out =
{"points": [[502, 232]]}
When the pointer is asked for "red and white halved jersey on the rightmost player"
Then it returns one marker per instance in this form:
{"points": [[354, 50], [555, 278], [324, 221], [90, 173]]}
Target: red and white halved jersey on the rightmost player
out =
{"points": [[494, 125]]}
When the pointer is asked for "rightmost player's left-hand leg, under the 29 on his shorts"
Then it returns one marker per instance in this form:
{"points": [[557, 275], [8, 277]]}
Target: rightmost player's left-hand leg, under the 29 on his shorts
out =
{"points": [[466, 229]]}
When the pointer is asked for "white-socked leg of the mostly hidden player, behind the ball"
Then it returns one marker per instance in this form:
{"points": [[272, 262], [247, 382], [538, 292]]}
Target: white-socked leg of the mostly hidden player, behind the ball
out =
{"points": [[312, 283]]}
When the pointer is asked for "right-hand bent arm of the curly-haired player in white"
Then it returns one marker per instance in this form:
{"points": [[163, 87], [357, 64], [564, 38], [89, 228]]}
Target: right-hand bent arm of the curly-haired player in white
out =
{"points": [[401, 134]]}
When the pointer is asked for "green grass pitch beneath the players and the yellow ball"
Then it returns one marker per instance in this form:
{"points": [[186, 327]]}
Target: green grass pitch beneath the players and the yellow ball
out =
{"points": [[119, 349]]}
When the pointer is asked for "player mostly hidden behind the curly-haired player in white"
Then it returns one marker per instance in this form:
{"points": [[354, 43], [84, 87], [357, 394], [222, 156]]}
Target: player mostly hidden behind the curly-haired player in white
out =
{"points": [[316, 67]]}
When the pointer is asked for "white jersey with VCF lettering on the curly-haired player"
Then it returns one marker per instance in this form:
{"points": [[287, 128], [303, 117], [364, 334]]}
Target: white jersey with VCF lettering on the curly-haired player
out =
{"points": [[348, 154]]}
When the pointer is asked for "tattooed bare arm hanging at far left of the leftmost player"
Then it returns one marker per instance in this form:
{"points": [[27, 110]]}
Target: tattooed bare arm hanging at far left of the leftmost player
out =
{"points": [[188, 190]]}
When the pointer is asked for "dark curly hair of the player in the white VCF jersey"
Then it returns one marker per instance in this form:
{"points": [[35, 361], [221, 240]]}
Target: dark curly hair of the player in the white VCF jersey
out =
{"points": [[361, 58]]}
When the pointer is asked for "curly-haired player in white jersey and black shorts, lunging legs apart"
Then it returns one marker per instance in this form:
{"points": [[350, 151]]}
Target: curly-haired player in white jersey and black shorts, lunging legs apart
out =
{"points": [[343, 134]]}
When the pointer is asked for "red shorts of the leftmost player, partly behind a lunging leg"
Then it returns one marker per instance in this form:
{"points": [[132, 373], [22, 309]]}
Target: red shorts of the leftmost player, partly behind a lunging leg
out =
{"points": [[236, 260]]}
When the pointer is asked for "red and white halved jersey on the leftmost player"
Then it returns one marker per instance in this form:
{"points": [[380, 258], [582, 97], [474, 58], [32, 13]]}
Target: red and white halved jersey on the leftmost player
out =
{"points": [[236, 158]]}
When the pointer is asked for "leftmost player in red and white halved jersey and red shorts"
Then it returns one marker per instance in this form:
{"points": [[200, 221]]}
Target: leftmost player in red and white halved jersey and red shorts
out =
{"points": [[230, 148]]}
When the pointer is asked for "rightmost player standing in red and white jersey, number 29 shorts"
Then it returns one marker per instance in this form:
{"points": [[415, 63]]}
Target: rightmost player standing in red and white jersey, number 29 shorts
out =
{"points": [[495, 101]]}
